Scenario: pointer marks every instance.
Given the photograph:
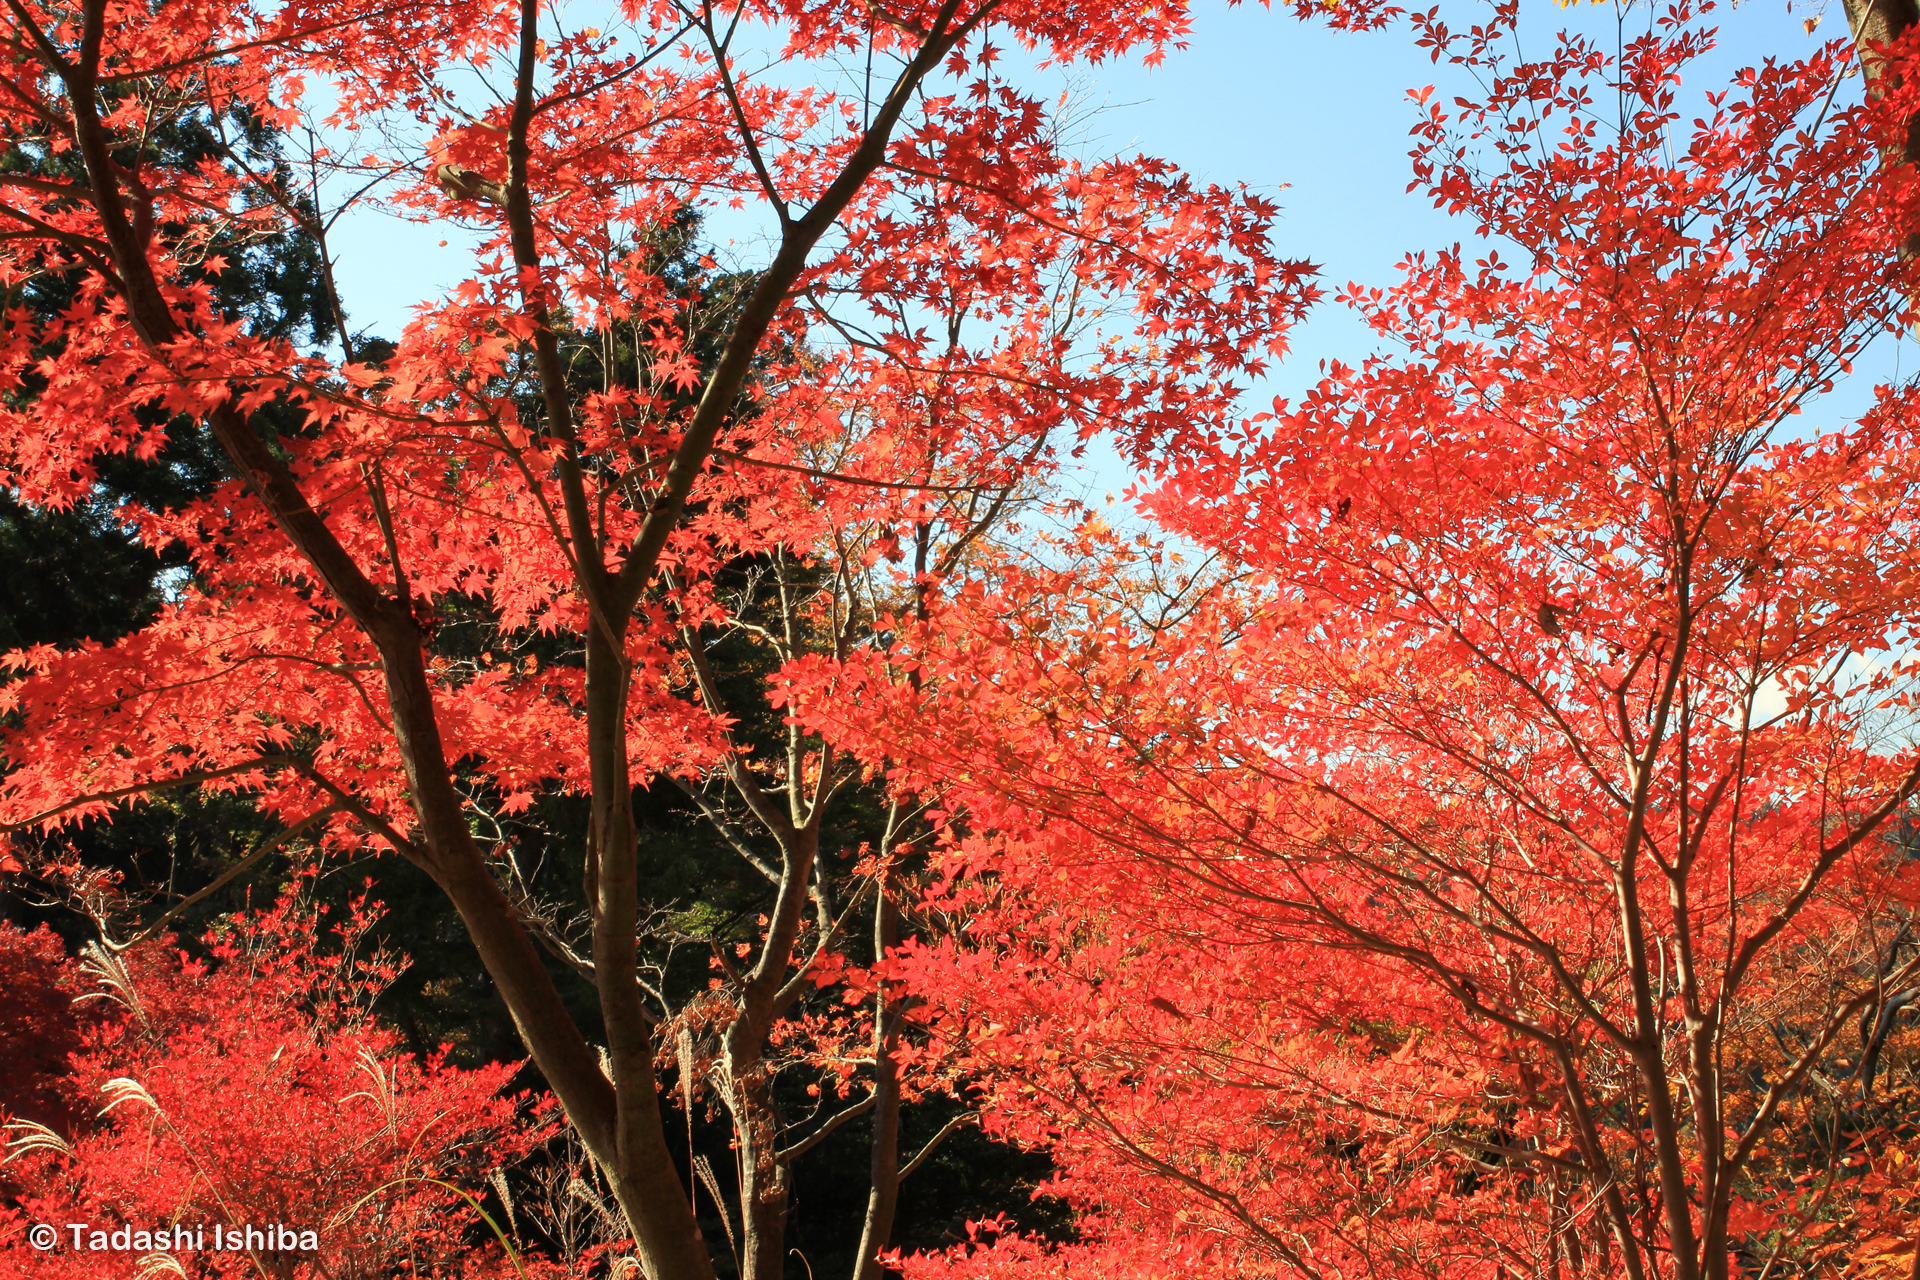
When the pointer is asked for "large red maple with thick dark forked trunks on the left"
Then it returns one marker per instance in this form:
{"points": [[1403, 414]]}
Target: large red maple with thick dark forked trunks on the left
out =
{"points": [[587, 536]]}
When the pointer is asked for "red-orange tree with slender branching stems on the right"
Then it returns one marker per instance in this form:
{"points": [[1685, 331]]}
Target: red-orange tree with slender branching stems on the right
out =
{"points": [[1491, 857]]}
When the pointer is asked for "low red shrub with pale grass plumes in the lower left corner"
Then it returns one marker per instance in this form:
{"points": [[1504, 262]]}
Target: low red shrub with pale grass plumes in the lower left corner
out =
{"points": [[252, 1089]]}
